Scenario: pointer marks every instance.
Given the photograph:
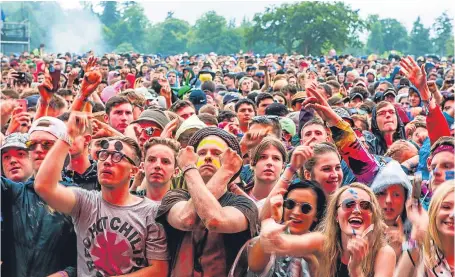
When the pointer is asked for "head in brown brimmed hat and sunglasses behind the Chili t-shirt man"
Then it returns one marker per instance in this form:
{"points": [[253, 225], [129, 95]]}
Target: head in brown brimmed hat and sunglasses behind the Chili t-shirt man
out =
{"points": [[149, 124]]}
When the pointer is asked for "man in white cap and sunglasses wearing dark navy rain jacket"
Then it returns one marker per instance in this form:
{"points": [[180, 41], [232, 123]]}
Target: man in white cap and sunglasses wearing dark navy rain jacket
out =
{"points": [[38, 240]]}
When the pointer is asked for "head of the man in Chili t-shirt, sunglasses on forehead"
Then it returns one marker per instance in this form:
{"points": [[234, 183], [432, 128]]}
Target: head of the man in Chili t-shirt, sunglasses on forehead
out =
{"points": [[112, 174]]}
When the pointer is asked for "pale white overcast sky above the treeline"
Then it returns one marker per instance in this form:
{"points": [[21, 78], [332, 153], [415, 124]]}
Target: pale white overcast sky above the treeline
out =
{"points": [[404, 11]]}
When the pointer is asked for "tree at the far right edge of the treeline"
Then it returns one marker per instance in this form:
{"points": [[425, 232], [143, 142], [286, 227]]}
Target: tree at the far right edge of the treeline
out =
{"points": [[443, 29]]}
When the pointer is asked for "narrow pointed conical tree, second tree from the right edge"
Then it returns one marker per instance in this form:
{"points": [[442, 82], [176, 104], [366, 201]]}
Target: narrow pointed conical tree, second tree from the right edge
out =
{"points": [[420, 43]]}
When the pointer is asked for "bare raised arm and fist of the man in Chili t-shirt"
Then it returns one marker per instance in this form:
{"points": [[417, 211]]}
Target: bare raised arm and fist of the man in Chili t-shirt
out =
{"points": [[47, 179]]}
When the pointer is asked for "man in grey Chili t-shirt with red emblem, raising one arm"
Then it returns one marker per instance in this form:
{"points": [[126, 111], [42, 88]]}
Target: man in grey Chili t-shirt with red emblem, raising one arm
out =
{"points": [[111, 225]]}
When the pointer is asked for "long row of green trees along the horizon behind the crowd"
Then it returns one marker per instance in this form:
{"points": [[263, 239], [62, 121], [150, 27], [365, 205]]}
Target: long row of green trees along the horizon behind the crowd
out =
{"points": [[302, 27]]}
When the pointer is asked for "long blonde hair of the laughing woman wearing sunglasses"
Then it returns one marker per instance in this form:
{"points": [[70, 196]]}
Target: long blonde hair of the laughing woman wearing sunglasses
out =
{"points": [[332, 249]]}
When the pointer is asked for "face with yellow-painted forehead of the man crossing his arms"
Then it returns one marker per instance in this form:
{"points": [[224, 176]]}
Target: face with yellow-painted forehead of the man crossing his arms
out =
{"points": [[209, 151]]}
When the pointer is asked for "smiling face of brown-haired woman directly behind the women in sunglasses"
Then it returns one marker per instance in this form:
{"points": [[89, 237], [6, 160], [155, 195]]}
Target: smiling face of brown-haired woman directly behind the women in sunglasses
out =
{"points": [[327, 172]]}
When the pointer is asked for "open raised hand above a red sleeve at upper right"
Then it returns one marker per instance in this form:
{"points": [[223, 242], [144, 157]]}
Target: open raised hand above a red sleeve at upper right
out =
{"points": [[416, 75]]}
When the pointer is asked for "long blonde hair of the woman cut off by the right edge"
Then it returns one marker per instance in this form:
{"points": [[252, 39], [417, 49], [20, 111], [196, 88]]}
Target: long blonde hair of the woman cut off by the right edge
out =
{"points": [[432, 238]]}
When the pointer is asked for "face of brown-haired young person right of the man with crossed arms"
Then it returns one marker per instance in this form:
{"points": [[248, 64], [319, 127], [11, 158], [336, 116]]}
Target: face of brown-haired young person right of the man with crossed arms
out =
{"points": [[269, 165]]}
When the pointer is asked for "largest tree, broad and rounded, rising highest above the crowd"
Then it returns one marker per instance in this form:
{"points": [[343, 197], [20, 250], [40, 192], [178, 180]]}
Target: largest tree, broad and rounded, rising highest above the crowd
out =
{"points": [[306, 27]]}
